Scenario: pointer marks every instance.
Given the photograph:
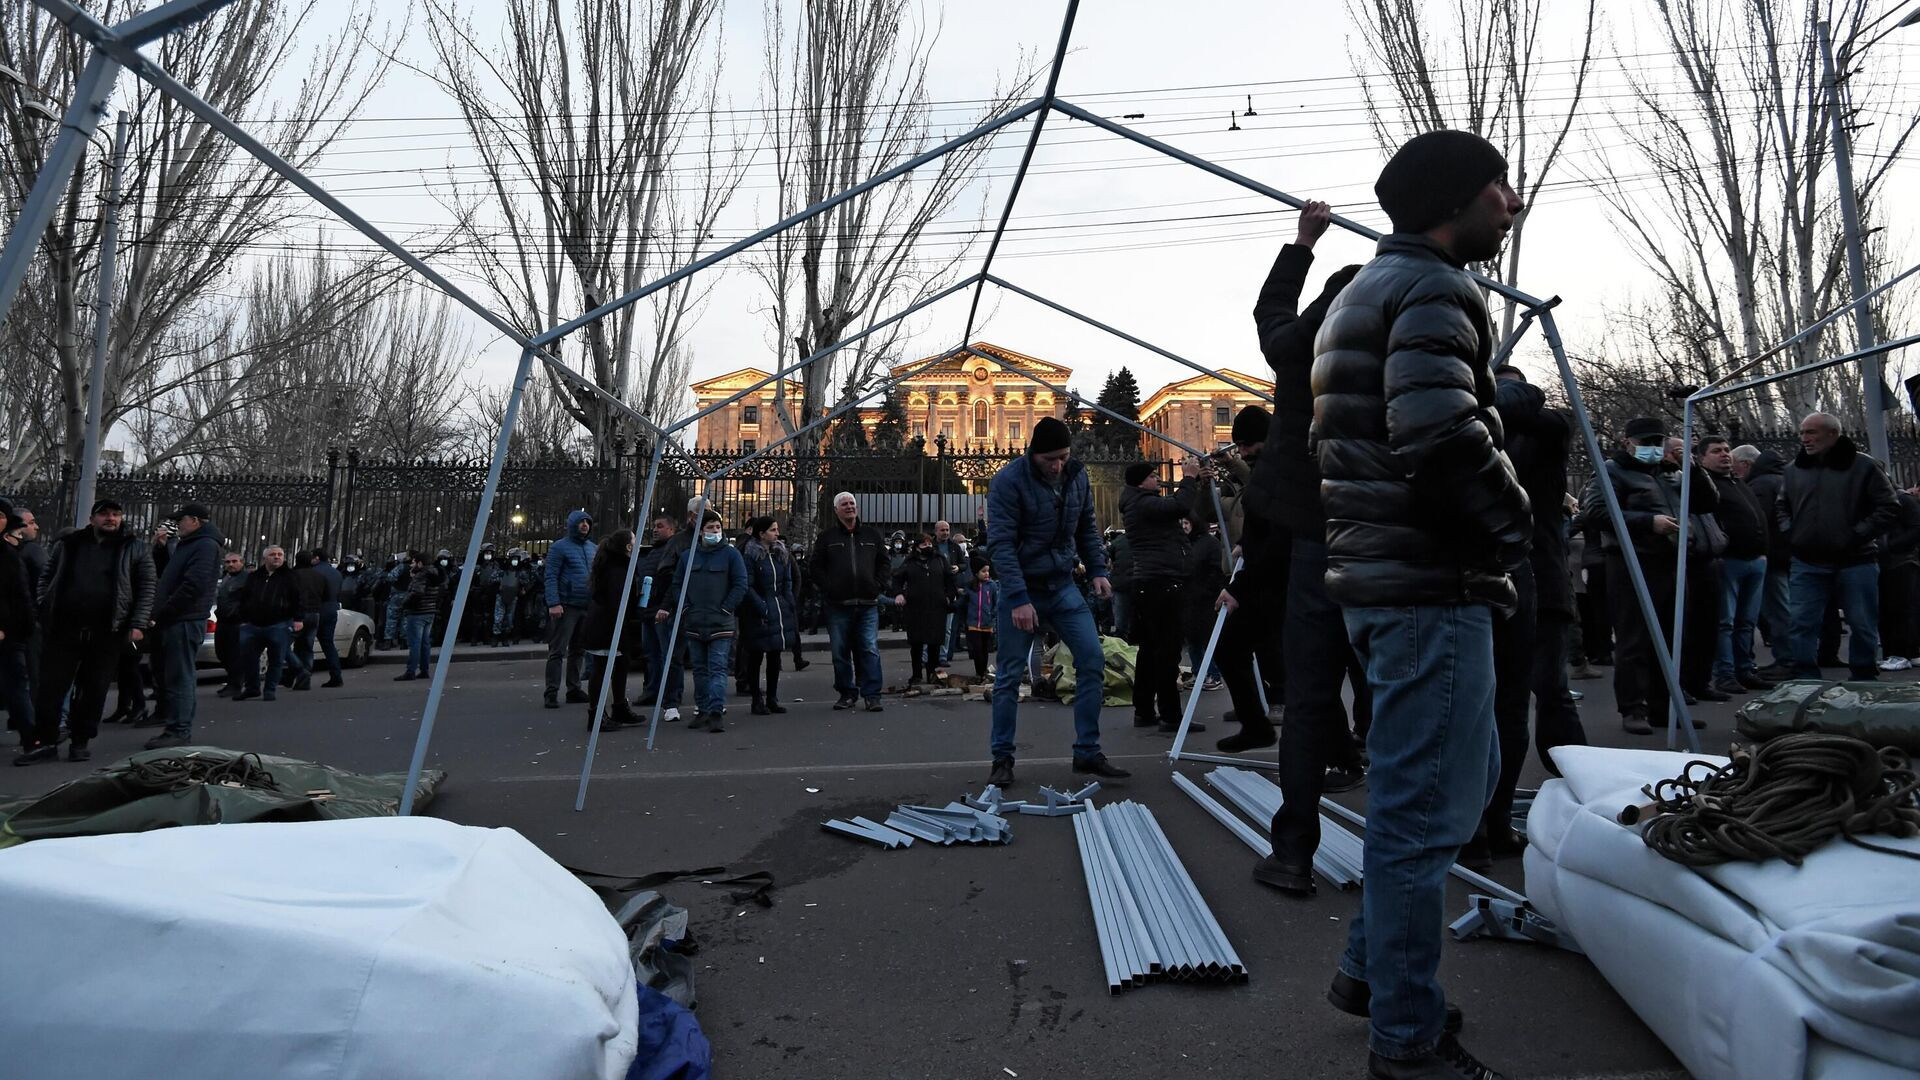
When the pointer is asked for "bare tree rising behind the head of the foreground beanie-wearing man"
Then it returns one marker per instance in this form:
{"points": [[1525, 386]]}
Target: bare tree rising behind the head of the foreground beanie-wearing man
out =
{"points": [[1493, 86]]}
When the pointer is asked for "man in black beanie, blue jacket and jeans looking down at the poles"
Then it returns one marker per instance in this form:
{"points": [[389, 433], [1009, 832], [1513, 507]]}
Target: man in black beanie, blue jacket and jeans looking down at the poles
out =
{"points": [[1040, 524]]}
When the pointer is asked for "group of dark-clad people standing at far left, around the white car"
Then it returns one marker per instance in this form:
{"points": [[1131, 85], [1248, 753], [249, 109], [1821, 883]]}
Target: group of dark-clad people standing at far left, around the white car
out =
{"points": [[103, 608]]}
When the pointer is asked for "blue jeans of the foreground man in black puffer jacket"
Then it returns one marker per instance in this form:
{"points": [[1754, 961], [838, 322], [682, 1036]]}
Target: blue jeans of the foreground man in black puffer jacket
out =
{"points": [[1435, 766]]}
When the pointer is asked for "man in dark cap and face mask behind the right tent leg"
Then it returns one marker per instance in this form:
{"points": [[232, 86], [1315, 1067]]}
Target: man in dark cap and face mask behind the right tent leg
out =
{"points": [[1648, 489]]}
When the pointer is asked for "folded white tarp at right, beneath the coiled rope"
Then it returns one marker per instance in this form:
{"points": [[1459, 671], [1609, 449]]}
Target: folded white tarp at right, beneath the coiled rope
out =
{"points": [[1746, 971]]}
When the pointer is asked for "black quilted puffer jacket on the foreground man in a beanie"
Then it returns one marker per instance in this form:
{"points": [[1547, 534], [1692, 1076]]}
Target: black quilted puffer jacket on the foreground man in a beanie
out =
{"points": [[1422, 503]]}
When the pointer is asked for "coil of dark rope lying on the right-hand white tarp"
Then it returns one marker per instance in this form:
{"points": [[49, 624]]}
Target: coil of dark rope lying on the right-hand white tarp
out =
{"points": [[1783, 800]]}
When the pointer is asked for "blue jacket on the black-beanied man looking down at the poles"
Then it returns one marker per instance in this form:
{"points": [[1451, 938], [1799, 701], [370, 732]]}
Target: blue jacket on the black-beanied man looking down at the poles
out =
{"points": [[1036, 533]]}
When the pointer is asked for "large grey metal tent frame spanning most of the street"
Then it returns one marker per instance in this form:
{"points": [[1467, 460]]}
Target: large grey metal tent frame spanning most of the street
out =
{"points": [[118, 47]]}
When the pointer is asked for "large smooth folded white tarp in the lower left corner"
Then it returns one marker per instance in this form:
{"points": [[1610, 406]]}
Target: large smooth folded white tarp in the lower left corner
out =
{"points": [[370, 950]]}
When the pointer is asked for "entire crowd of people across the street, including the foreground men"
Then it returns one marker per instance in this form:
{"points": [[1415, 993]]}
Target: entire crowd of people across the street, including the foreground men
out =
{"points": [[1401, 526]]}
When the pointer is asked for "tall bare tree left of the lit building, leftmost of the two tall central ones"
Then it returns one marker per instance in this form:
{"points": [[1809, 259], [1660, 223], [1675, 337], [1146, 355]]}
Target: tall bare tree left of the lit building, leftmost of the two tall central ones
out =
{"points": [[577, 120]]}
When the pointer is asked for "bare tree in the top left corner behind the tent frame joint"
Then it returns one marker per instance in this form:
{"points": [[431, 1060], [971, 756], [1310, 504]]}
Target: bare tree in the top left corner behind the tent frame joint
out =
{"points": [[193, 203]]}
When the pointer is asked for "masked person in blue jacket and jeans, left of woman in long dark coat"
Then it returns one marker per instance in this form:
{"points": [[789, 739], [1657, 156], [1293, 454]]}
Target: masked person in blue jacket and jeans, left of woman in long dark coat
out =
{"points": [[715, 595]]}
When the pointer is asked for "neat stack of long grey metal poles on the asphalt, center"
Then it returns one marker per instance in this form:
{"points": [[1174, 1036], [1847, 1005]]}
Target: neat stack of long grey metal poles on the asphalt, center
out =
{"points": [[1147, 910]]}
